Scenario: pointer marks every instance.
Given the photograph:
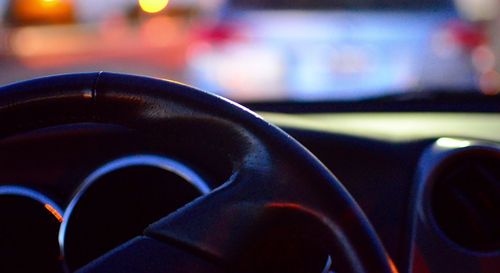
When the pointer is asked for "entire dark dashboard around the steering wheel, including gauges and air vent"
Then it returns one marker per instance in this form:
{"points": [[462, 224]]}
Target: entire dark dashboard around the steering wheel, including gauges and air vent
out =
{"points": [[428, 182]]}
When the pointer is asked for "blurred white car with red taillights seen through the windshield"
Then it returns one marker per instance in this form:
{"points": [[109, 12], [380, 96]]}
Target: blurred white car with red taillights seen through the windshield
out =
{"points": [[261, 50]]}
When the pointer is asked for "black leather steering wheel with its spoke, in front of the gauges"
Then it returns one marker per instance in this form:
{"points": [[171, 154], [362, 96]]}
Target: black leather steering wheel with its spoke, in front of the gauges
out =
{"points": [[280, 209]]}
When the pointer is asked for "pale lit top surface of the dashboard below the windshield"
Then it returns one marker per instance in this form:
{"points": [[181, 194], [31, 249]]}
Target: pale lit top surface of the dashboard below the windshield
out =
{"points": [[395, 127]]}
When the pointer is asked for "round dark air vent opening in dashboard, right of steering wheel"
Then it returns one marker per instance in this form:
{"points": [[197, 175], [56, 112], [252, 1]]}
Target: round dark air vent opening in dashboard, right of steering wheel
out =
{"points": [[465, 200]]}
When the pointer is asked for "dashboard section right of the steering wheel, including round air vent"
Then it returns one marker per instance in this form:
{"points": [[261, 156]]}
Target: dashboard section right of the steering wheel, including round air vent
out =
{"points": [[429, 182]]}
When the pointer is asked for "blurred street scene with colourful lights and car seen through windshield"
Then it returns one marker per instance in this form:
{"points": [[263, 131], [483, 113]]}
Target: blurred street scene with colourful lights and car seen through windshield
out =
{"points": [[262, 50]]}
